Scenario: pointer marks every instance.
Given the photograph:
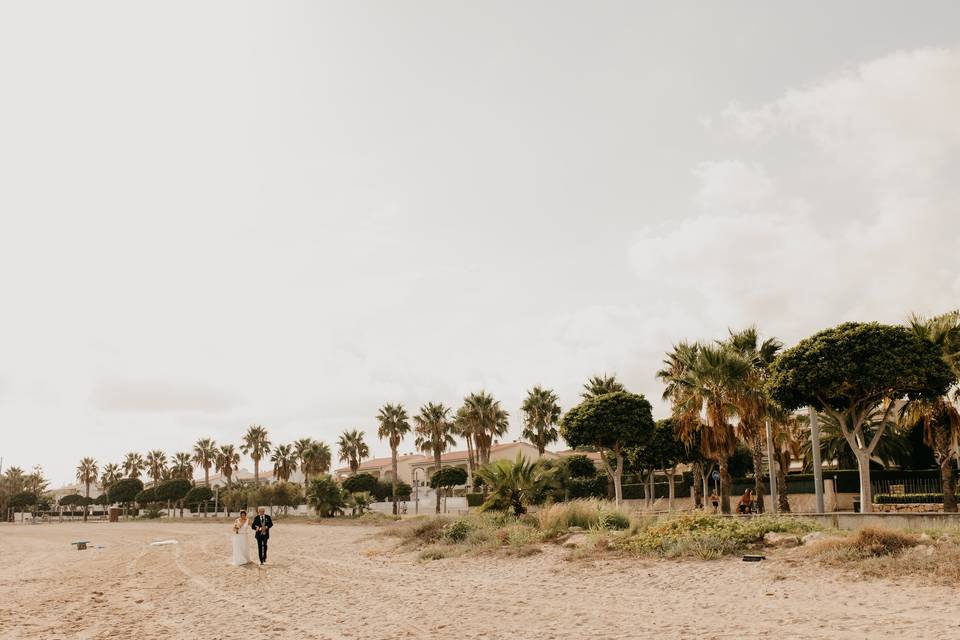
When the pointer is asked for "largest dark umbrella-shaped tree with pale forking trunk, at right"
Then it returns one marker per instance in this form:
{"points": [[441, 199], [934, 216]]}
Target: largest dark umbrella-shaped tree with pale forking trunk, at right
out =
{"points": [[850, 370]]}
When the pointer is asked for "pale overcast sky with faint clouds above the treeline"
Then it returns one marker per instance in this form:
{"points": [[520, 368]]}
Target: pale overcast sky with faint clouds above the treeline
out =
{"points": [[217, 214]]}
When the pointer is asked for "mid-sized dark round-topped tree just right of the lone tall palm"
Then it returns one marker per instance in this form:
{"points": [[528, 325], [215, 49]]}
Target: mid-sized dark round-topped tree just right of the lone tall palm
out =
{"points": [[611, 422]]}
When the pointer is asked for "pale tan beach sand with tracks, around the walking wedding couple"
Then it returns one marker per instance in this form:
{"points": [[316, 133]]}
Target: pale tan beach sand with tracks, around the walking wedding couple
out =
{"points": [[326, 581]]}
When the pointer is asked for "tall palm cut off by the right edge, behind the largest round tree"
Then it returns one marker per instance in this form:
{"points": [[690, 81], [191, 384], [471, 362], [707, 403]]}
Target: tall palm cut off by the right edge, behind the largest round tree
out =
{"points": [[940, 417]]}
